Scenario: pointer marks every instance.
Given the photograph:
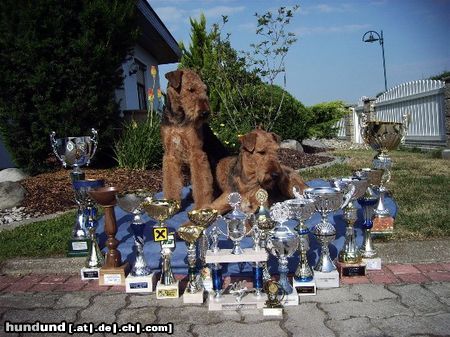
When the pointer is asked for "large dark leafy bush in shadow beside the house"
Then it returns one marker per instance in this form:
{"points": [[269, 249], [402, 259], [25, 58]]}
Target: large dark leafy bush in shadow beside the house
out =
{"points": [[59, 65]]}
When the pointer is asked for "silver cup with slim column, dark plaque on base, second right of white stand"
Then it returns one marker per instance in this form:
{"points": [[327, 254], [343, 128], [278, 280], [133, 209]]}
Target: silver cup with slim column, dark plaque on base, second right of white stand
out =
{"points": [[302, 209]]}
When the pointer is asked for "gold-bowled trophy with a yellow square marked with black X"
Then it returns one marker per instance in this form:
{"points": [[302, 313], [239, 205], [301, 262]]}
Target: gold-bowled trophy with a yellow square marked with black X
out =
{"points": [[161, 210]]}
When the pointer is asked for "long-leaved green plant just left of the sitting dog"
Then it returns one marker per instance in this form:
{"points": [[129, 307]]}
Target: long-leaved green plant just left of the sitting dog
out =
{"points": [[140, 145]]}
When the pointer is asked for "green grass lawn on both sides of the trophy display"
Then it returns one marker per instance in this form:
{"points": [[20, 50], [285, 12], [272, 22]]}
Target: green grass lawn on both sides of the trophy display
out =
{"points": [[420, 184]]}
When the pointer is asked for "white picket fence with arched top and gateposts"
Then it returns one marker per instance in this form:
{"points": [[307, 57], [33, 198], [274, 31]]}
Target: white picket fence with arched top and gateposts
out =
{"points": [[424, 102]]}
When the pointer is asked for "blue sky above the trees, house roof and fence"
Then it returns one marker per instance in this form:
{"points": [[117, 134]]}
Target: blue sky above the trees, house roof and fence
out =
{"points": [[330, 61]]}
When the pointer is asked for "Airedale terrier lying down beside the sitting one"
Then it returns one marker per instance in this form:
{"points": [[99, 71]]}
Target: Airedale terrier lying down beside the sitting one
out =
{"points": [[257, 166]]}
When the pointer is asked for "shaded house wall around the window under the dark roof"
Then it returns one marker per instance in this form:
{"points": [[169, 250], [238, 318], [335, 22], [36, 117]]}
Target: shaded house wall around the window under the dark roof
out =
{"points": [[127, 96]]}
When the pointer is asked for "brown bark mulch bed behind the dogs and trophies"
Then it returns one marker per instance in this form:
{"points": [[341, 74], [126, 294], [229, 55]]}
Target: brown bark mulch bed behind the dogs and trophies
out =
{"points": [[52, 192]]}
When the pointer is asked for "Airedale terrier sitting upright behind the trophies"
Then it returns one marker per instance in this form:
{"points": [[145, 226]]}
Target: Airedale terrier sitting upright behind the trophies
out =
{"points": [[187, 139]]}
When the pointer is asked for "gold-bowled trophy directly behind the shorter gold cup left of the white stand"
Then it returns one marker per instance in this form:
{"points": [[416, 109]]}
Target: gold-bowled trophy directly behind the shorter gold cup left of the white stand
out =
{"points": [[204, 218]]}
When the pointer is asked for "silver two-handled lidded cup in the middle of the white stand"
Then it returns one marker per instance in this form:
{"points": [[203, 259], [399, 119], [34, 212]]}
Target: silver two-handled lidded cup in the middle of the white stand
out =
{"points": [[236, 221]]}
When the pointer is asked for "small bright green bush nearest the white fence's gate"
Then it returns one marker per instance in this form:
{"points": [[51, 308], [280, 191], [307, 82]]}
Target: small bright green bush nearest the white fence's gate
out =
{"points": [[324, 117]]}
